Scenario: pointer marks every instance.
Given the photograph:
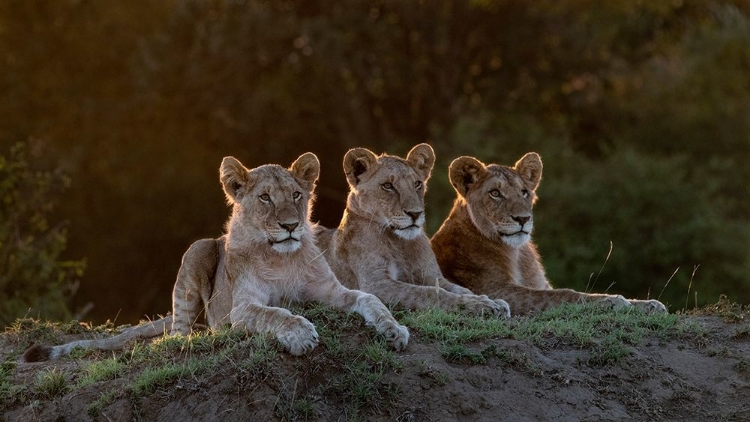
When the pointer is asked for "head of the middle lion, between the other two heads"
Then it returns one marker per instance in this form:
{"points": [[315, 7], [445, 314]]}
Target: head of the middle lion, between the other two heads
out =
{"points": [[388, 189]]}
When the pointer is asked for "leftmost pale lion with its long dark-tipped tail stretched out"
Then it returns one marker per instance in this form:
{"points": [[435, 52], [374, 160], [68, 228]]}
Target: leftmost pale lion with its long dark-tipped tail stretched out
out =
{"points": [[266, 258]]}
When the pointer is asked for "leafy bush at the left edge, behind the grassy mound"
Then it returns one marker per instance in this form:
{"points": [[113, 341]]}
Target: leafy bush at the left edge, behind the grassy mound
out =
{"points": [[35, 281]]}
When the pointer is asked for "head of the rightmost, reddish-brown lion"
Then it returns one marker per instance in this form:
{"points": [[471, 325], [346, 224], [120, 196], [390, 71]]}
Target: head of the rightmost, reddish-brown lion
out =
{"points": [[499, 198]]}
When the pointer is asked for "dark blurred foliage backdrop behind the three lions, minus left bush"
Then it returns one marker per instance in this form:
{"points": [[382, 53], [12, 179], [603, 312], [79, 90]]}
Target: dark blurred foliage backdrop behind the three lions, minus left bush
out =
{"points": [[641, 111]]}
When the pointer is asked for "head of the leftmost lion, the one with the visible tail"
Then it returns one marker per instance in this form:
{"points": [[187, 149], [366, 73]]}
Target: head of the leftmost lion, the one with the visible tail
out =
{"points": [[271, 203]]}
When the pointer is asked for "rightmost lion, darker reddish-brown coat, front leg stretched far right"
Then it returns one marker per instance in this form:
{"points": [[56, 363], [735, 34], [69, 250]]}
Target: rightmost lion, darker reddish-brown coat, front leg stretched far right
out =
{"points": [[485, 242]]}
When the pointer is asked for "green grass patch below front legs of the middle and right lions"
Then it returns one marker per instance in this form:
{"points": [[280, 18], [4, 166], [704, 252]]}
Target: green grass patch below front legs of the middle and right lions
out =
{"points": [[605, 333]]}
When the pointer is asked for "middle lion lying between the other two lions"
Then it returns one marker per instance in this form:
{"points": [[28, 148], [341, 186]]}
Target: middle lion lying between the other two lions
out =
{"points": [[380, 246]]}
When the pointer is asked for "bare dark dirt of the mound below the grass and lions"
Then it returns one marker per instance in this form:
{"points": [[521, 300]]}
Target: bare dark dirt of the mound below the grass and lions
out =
{"points": [[706, 378]]}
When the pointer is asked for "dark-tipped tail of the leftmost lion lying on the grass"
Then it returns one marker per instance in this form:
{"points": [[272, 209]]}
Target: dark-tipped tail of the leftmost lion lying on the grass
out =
{"points": [[39, 353]]}
